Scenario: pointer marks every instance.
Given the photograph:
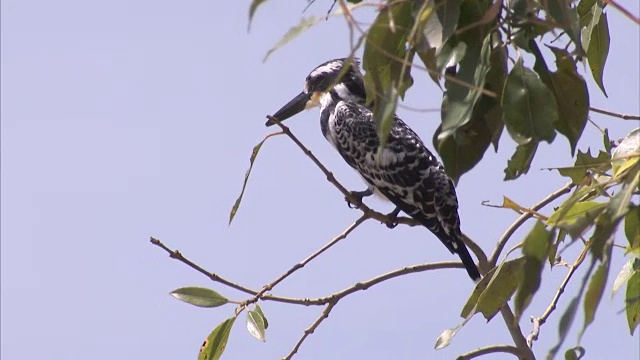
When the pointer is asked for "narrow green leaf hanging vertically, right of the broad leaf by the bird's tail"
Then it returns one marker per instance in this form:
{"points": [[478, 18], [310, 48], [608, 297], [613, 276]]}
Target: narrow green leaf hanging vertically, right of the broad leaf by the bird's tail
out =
{"points": [[534, 250]]}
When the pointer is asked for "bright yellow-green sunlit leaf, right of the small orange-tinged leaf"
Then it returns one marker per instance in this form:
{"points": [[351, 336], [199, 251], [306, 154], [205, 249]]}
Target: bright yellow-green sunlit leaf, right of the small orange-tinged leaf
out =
{"points": [[576, 218]]}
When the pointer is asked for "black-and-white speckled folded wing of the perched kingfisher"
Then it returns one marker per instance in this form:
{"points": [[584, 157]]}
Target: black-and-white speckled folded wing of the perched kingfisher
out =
{"points": [[405, 171]]}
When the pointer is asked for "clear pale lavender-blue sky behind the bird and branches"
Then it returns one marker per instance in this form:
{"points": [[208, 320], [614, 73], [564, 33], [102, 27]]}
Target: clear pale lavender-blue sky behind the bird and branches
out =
{"points": [[127, 119]]}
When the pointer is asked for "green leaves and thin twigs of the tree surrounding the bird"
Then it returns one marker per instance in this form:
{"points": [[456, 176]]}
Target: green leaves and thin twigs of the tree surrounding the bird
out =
{"points": [[466, 46]]}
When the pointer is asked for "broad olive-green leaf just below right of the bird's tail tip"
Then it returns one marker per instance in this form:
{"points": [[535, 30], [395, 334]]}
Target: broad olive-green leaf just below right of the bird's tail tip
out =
{"points": [[494, 290]]}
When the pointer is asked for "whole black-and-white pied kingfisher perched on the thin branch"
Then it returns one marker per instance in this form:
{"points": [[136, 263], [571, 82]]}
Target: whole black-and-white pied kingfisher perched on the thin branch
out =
{"points": [[406, 173]]}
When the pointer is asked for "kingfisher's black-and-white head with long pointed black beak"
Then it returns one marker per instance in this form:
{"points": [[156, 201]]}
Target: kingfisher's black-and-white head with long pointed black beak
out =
{"points": [[330, 77]]}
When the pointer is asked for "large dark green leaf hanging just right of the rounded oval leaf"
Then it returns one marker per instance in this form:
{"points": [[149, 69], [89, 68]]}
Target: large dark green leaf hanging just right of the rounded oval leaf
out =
{"points": [[572, 95]]}
